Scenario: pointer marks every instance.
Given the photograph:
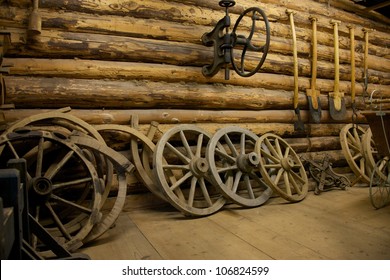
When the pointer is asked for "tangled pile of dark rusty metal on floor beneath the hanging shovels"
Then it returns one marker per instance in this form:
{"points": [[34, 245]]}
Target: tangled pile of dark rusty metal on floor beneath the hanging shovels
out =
{"points": [[325, 176]]}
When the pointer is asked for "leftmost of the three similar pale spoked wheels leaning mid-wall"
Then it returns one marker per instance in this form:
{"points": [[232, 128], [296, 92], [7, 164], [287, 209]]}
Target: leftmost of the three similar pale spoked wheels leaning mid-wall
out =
{"points": [[181, 170]]}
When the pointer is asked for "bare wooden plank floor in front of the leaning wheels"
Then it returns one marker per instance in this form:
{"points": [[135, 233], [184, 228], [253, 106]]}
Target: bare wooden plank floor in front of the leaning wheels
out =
{"points": [[333, 225]]}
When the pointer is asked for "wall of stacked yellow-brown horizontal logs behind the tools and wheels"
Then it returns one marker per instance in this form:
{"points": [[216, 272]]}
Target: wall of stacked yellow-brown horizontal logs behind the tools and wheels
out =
{"points": [[109, 59]]}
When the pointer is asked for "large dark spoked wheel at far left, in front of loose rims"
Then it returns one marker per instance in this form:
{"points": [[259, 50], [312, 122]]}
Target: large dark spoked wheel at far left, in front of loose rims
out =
{"points": [[64, 188]]}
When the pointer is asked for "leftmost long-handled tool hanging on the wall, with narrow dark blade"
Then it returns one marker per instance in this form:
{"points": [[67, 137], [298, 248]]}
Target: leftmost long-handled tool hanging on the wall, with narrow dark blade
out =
{"points": [[298, 125]]}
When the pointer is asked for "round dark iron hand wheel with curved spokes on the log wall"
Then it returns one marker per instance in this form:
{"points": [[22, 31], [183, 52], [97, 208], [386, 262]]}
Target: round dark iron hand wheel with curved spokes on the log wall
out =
{"points": [[253, 44]]}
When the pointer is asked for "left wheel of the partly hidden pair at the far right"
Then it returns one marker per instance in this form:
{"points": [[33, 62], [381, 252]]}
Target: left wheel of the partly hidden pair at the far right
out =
{"points": [[352, 147]]}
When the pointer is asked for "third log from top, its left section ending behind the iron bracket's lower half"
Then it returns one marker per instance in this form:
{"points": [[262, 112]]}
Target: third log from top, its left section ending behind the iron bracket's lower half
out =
{"points": [[106, 47]]}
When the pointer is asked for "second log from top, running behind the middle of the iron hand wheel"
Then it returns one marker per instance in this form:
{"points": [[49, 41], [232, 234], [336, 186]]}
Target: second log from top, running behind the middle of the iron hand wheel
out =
{"points": [[171, 31]]}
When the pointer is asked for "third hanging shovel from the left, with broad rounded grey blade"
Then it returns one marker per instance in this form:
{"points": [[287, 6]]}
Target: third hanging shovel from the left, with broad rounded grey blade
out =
{"points": [[337, 108]]}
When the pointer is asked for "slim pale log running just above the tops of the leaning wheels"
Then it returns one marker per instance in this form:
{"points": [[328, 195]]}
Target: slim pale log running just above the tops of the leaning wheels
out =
{"points": [[172, 116]]}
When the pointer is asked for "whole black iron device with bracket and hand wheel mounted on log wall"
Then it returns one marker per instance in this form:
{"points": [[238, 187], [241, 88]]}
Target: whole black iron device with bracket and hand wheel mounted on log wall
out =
{"points": [[225, 42]]}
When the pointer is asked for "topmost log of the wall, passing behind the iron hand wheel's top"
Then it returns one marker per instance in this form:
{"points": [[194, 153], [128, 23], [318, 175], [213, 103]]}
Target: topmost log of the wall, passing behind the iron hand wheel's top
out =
{"points": [[196, 14]]}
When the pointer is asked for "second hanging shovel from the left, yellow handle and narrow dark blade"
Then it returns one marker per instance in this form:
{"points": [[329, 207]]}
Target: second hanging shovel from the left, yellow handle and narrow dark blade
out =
{"points": [[313, 95]]}
